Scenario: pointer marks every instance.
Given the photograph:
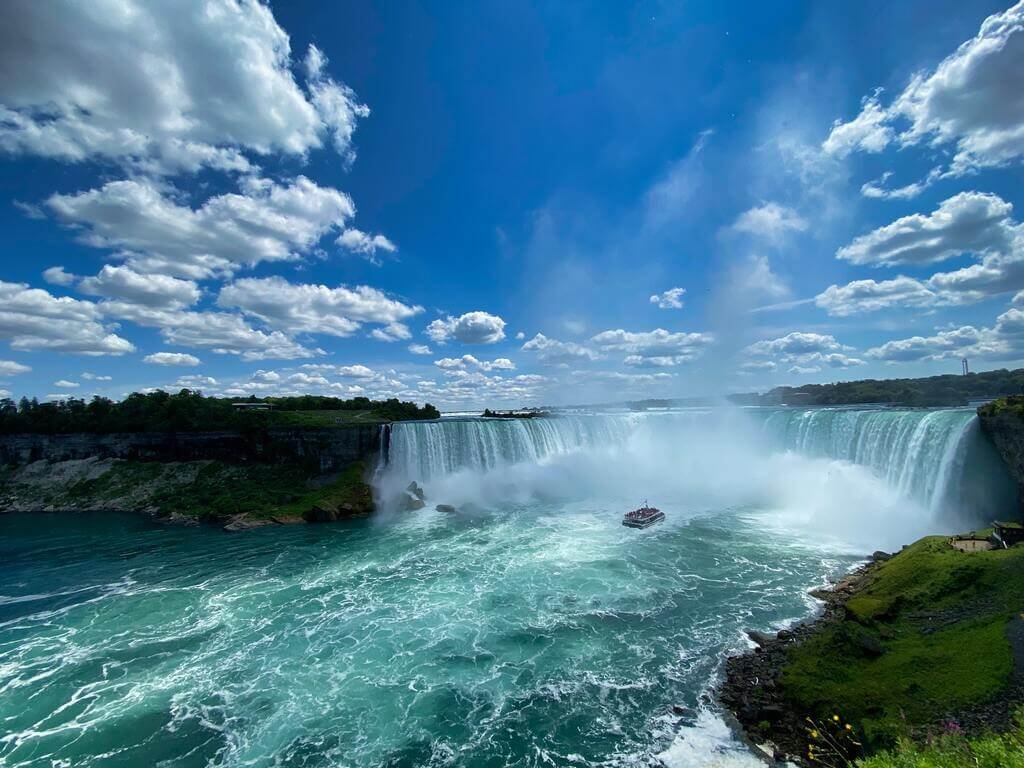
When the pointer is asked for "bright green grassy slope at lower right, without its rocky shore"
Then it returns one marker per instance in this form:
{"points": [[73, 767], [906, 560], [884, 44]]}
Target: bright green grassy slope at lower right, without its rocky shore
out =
{"points": [[928, 641]]}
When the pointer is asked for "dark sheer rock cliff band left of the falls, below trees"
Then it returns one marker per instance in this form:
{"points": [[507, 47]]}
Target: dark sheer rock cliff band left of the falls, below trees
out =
{"points": [[324, 450]]}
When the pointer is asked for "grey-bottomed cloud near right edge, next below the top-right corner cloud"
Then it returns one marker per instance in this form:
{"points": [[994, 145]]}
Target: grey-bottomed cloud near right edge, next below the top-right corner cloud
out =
{"points": [[969, 223]]}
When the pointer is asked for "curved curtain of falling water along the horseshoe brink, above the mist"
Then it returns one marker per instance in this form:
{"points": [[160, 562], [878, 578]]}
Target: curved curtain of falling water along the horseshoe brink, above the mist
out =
{"points": [[937, 458]]}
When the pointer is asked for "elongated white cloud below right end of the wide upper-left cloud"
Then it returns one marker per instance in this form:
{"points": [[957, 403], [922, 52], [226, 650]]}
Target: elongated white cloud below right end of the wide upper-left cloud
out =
{"points": [[317, 309]]}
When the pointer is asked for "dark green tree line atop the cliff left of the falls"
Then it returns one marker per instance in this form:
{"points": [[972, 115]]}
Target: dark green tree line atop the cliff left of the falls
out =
{"points": [[188, 411]]}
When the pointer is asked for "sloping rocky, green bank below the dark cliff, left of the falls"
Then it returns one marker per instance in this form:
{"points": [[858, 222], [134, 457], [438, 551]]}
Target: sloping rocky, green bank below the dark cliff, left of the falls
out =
{"points": [[236, 497]]}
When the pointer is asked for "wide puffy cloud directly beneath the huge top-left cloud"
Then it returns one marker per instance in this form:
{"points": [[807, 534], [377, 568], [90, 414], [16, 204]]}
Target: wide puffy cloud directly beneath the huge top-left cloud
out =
{"points": [[156, 234]]}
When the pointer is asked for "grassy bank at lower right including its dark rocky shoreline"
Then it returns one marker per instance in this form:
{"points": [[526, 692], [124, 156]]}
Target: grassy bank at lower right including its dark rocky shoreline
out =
{"points": [[927, 642]]}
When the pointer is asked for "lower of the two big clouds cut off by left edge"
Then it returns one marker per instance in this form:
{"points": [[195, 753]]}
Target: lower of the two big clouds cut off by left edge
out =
{"points": [[33, 319]]}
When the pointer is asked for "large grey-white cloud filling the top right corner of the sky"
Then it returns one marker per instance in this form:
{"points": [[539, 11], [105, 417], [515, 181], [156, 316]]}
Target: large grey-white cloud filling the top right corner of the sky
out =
{"points": [[971, 102]]}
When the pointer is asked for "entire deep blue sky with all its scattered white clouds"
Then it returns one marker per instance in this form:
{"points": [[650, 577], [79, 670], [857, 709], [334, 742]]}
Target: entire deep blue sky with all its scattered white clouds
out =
{"points": [[507, 204]]}
